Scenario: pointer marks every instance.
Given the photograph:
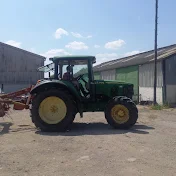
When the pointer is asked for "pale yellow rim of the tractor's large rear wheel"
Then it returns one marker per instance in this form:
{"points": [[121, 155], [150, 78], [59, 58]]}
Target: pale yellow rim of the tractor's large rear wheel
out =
{"points": [[52, 110]]}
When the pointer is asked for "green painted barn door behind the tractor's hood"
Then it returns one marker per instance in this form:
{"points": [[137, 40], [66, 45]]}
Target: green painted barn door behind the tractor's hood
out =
{"points": [[130, 75]]}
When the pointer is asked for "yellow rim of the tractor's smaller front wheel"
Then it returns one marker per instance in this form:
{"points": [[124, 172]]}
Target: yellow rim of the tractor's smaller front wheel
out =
{"points": [[120, 114]]}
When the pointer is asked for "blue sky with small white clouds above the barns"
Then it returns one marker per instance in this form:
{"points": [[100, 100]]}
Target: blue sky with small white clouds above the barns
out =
{"points": [[108, 29]]}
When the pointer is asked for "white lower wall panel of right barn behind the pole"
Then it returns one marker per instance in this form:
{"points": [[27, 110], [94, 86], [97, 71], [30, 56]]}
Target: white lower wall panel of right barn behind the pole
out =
{"points": [[146, 94]]}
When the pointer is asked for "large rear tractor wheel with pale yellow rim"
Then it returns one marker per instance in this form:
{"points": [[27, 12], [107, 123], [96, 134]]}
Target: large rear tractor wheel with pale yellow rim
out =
{"points": [[53, 110]]}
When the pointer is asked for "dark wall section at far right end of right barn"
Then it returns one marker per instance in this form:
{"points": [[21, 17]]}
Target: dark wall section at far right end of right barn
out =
{"points": [[170, 76]]}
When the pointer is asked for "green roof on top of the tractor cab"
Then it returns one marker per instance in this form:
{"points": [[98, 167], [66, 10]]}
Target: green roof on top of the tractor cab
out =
{"points": [[72, 57]]}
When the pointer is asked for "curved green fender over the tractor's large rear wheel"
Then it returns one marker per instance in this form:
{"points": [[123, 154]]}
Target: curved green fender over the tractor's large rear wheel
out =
{"points": [[48, 84]]}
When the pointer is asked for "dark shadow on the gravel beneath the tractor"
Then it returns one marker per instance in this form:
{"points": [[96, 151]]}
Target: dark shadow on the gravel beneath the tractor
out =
{"points": [[79, 129]]}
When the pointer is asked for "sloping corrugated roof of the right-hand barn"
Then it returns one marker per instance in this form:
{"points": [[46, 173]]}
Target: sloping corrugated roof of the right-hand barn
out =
{"points": [[138, 59]]}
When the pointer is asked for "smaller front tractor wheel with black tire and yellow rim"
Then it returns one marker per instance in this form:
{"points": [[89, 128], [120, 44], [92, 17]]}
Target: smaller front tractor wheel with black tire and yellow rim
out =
{"points": [[121, 113]]}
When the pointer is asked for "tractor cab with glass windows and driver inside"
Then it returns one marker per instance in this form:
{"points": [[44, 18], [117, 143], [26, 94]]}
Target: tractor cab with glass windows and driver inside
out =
{"points": [[74, 69]]}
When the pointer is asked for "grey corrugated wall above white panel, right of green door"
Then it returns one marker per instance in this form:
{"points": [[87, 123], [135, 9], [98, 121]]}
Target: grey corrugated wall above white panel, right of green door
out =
{"points": [[146, 75]]}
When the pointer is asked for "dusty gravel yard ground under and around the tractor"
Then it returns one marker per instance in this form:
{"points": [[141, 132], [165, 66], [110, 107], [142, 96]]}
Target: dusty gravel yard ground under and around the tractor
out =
{"points": [[91, 148]]}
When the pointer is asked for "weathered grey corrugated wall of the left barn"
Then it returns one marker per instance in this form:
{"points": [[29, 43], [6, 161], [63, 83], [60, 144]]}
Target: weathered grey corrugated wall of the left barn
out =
{"points": [[19, 66]]}
